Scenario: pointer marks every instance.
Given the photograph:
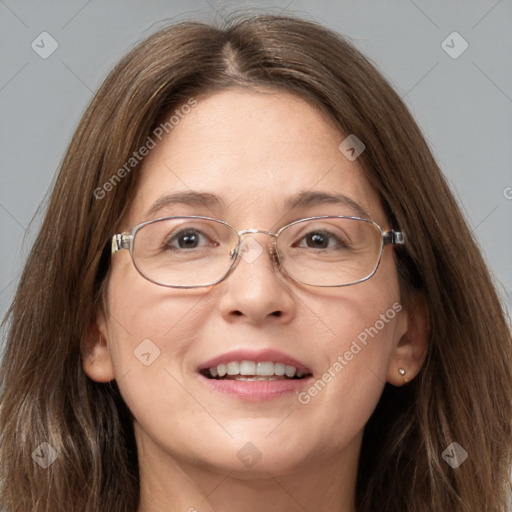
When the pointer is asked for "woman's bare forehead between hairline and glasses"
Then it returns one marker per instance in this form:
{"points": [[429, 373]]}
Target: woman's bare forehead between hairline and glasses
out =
{"points": [[254, 151]]}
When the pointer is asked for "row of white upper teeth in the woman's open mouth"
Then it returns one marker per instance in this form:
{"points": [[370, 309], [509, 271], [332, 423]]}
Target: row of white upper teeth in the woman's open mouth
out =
{"points": [[252, 370]]}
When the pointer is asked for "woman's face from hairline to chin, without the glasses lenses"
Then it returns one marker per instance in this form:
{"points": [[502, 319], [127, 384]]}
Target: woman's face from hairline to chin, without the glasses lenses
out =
{"points": [[253, 151]]}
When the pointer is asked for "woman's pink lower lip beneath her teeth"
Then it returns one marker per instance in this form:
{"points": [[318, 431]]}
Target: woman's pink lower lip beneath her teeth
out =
{"points": [[256, 390]]}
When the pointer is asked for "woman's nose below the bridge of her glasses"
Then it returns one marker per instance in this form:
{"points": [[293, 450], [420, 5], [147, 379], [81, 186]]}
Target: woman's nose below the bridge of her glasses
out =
{"points": [[256, 291]]}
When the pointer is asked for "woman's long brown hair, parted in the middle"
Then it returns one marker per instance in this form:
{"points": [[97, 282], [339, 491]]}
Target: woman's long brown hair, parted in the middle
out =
{"points": [[463, 393]]}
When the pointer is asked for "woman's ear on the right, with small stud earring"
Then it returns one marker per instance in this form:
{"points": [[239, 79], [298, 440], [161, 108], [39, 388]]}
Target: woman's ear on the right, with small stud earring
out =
{"points": [[411, 350]]}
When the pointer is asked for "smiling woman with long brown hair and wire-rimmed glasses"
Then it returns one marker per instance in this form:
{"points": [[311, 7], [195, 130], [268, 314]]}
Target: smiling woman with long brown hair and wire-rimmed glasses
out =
{"points": [[253, 290]]}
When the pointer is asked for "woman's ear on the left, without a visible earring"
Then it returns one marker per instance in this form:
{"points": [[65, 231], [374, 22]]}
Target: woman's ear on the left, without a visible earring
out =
{"points": [[96, 360]]}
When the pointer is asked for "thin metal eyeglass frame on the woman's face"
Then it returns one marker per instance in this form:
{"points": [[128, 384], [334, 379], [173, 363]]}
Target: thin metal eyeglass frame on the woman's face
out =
{"points": [[125, 241]]}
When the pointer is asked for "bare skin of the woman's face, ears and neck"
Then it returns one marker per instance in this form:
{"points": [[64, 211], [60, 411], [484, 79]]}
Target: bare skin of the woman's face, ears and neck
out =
{"points": [[254, 149]]}
